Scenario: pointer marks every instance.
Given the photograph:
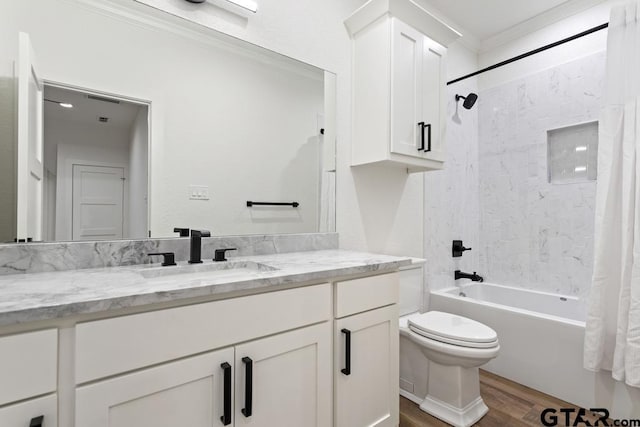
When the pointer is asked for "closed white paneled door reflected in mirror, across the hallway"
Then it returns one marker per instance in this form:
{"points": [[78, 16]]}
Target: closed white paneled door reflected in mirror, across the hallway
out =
{"points": [[98, 193]]}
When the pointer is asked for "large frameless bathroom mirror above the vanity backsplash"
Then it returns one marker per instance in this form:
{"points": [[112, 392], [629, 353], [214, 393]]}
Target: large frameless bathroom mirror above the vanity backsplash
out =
{"points": [[217, 123]]}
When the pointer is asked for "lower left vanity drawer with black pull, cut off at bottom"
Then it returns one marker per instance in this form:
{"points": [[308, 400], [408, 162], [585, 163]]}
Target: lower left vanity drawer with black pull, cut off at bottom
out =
{"points": [[22, 414]]}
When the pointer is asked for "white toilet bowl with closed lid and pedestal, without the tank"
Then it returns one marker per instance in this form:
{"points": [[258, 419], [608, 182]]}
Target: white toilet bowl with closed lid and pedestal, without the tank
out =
{"points": [[454, 347]]}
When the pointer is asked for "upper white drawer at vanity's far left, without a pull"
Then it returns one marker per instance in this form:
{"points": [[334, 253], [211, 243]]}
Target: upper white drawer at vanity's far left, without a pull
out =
{"points": [[29, 363]]}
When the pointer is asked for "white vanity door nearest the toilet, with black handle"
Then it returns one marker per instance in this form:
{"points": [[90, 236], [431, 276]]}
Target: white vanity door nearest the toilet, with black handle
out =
{"points": [[366, 371]]}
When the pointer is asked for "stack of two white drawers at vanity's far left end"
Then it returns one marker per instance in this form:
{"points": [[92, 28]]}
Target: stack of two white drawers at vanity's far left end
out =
{"points": [[28, 374]]}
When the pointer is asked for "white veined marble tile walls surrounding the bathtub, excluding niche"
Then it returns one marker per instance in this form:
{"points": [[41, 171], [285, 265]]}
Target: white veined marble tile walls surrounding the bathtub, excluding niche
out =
{"points": [[494, 192]]}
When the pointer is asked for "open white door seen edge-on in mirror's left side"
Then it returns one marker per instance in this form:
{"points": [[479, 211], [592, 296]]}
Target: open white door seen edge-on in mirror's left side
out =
{"points": [[30, 125]]}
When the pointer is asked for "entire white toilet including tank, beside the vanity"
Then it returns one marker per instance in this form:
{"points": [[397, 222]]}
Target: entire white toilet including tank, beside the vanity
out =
{"points": [[439, 356]]}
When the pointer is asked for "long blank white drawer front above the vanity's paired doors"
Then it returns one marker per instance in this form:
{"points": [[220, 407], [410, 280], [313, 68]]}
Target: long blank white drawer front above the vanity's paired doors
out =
{"points": [[111, 346]]}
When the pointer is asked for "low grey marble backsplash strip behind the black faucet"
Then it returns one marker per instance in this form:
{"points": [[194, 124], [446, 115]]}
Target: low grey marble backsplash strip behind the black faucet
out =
{"points": [[61, 256]]}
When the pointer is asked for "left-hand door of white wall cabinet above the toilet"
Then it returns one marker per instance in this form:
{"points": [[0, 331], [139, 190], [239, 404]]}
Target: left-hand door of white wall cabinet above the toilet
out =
{"points": [[406, 89]]}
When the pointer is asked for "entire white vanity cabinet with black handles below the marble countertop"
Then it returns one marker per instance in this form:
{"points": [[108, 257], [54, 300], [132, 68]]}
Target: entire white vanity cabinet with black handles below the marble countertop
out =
{"points": [[312, 355]]}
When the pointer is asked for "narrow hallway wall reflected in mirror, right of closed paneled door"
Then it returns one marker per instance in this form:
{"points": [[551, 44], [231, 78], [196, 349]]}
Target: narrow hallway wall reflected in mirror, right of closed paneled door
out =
{"points": [[138, 175]]}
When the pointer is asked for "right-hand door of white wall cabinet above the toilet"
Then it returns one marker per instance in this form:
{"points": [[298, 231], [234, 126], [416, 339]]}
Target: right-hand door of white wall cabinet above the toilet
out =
{"points": [[433, 97]]}
